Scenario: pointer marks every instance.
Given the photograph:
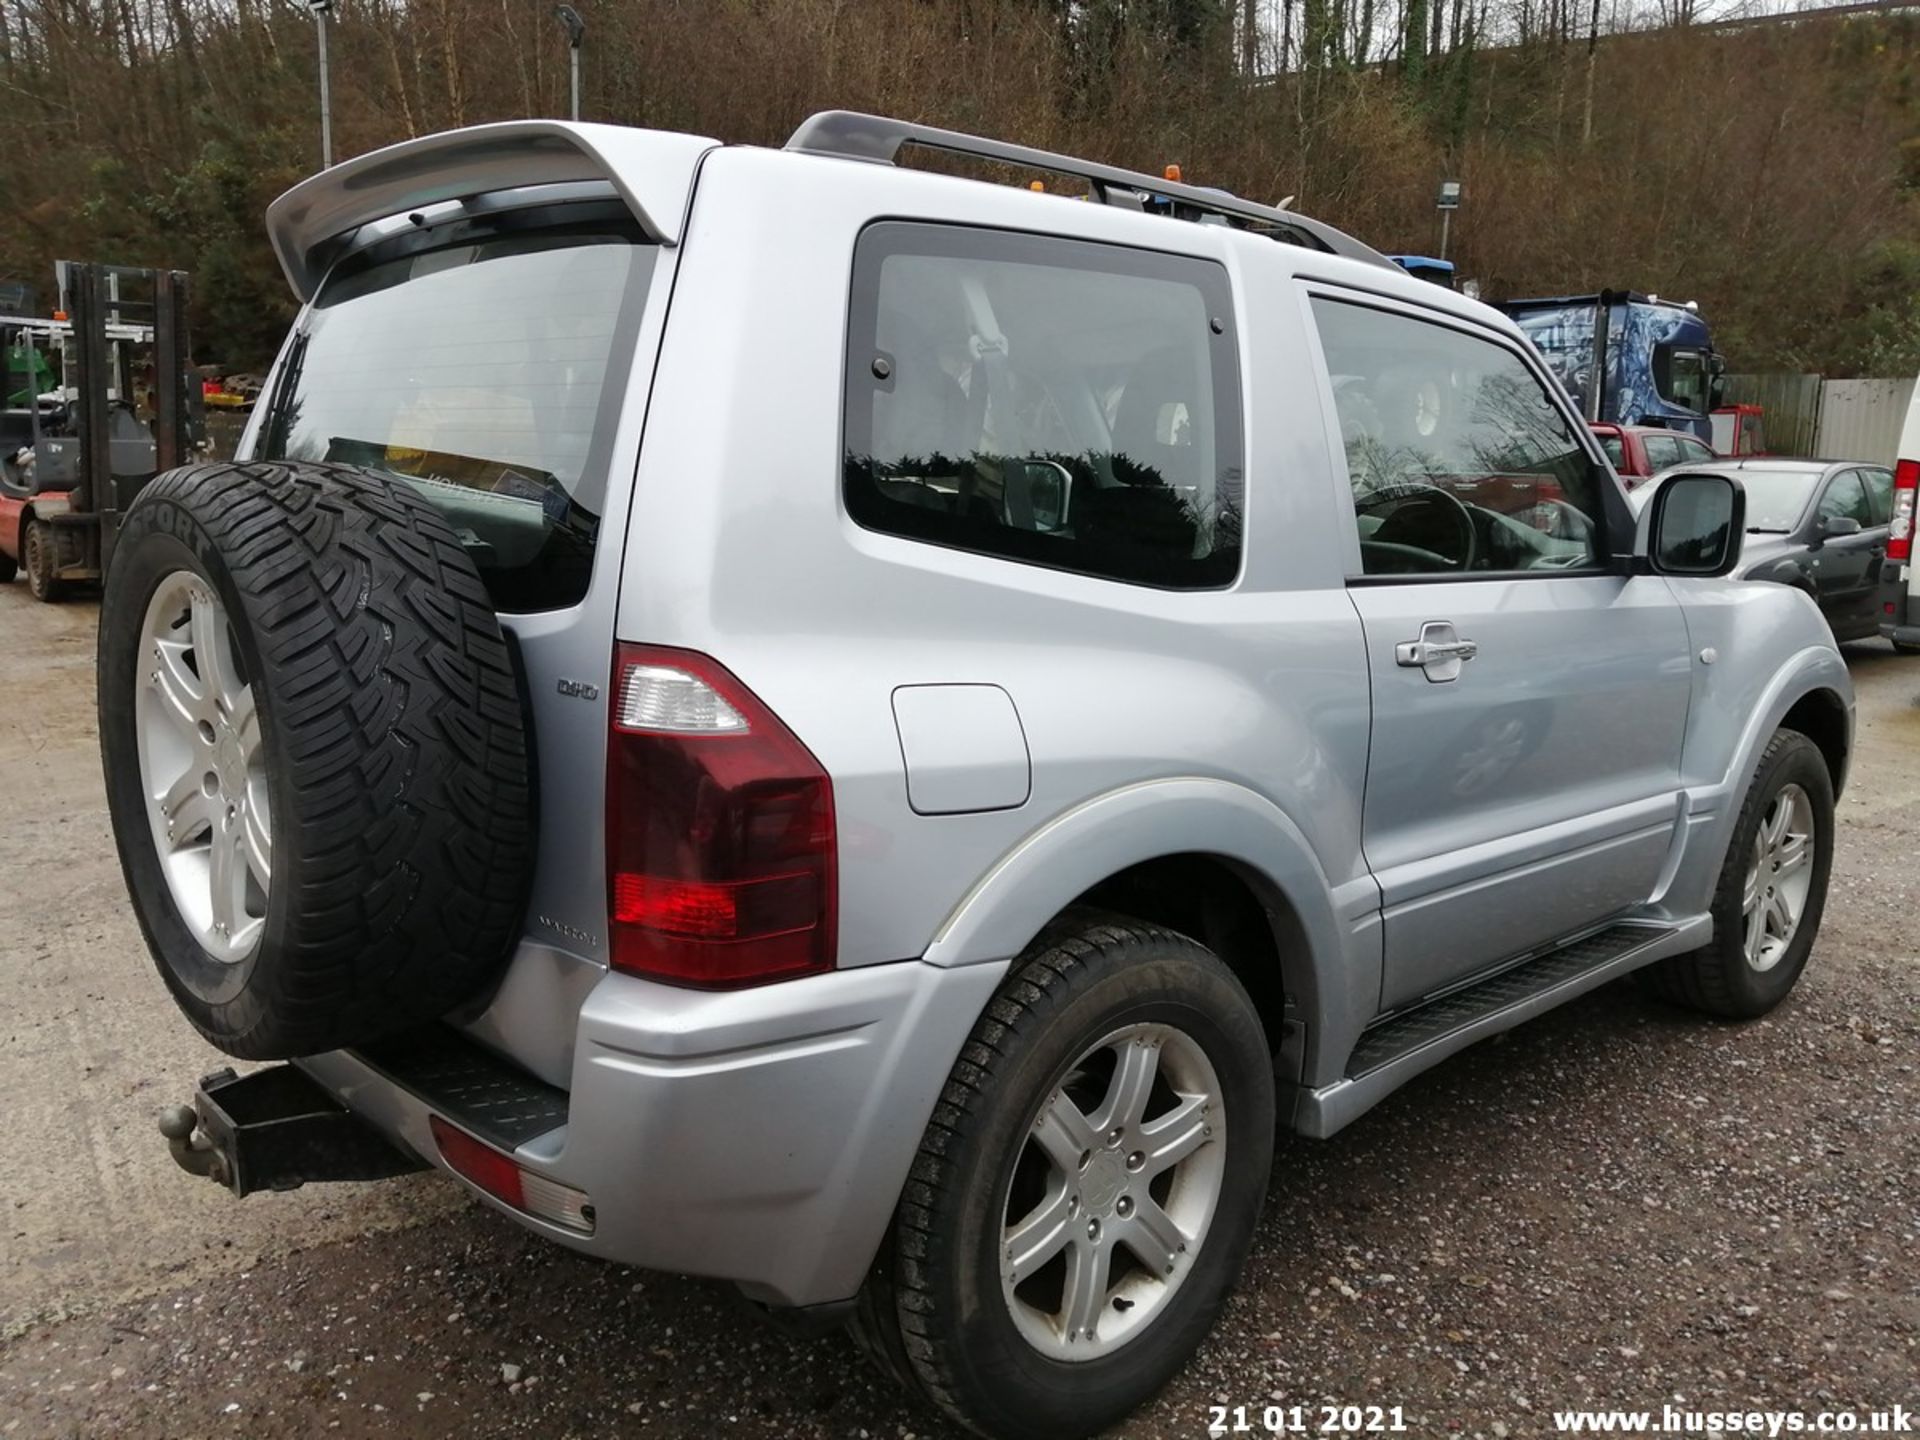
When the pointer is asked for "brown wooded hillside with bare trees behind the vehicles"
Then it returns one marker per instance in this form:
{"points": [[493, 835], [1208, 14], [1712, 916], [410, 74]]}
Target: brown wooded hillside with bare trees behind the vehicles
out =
{"points": [[1765, 168]]}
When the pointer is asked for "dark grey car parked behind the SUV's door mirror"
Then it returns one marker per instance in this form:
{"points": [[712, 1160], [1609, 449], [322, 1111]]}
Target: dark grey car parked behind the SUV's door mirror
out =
{"points": [[1813, 525]]}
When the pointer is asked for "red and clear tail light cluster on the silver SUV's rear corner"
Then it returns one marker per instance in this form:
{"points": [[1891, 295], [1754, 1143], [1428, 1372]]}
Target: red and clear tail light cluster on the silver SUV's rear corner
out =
{"points": [[721, 848]]}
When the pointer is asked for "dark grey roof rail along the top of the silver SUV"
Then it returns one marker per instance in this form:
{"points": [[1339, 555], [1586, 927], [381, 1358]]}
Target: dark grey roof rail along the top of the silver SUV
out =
{"points": [[852, 135]]}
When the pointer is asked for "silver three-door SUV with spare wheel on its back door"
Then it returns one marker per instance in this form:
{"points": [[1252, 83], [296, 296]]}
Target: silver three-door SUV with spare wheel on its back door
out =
{"points": [[873, 734]]}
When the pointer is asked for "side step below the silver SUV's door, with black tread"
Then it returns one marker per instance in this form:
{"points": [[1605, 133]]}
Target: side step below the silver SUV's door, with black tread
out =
{"points": [[1401, 1047]]}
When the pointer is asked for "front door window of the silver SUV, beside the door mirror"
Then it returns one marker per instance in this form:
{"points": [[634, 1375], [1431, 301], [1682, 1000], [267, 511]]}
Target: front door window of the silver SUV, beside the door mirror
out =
{"points": [[1458, 458]]}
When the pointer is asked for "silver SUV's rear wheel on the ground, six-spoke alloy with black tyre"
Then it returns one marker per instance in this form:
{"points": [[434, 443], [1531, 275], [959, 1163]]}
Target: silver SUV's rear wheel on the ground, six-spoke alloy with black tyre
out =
{"points": [[1088, 1189]]}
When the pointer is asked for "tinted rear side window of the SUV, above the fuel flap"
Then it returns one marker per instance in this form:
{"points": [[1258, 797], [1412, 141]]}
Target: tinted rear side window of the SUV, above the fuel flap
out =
{"points": [[1045, 400]]}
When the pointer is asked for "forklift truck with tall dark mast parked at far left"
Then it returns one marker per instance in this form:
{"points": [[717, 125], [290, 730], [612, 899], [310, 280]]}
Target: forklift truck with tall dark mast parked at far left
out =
{"points": [[74, 456]]}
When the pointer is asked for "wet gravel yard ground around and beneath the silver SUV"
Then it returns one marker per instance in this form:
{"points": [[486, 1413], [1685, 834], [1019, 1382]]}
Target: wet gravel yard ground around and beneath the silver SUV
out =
{"points": [[1616, 1207]]}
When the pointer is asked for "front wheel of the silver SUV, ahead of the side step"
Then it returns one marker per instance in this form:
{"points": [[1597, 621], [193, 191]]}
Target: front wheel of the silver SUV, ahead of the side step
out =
{"points": [[1771, 896]]}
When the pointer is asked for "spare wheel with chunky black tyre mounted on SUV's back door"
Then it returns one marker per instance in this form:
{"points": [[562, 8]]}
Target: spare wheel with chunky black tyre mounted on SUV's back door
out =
{"points": [[316, 756]]}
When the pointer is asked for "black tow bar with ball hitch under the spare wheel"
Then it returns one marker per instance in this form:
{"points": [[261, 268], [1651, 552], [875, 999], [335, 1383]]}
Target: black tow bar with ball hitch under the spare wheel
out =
{"points": [[276, 1130]]}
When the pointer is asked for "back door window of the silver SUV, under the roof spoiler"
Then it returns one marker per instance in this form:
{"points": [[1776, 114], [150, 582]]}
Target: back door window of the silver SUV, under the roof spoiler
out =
{"points": [[487, 373]]}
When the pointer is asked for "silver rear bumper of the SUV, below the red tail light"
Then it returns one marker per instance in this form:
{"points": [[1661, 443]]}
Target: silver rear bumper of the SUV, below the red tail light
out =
{"points": [[759, 1136]]}
